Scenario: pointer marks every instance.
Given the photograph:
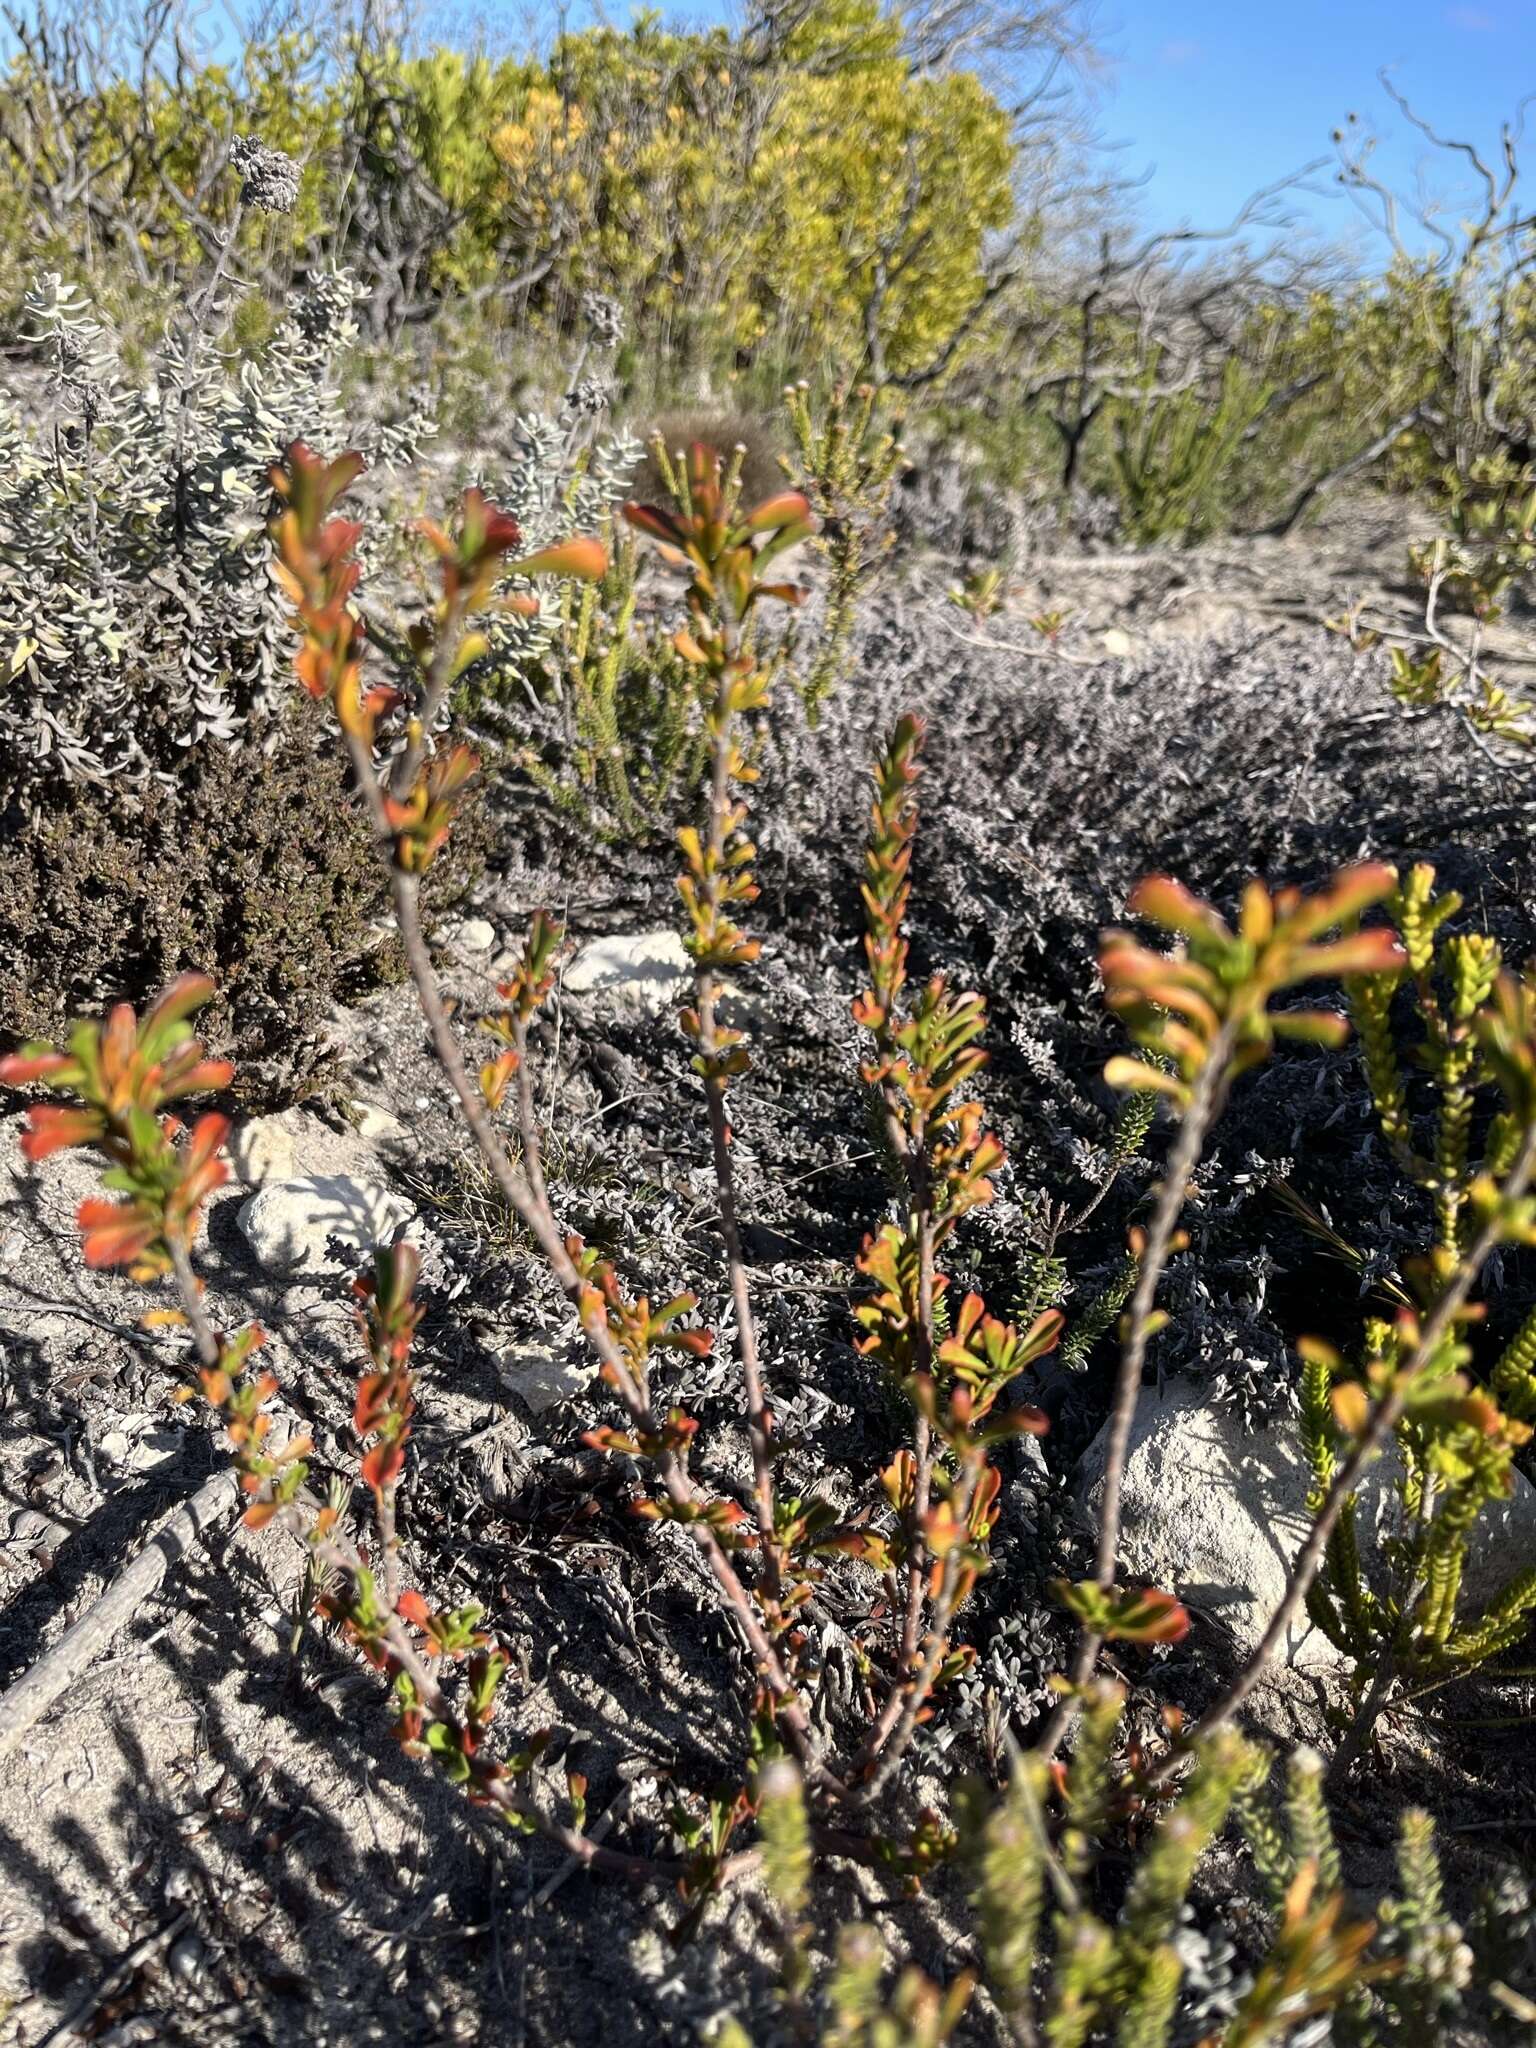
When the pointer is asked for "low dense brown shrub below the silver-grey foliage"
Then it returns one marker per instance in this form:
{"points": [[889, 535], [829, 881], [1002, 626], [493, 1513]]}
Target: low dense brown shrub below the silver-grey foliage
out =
{"points": [[253, 867]]}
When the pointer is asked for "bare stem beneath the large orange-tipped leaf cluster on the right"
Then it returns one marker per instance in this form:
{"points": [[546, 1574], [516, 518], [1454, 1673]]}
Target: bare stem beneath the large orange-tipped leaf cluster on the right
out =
{"points": [[1170, 1203]]}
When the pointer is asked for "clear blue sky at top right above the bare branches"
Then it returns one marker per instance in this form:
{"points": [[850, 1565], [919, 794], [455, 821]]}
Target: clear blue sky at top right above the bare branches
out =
{"points": [[1218, 99]]}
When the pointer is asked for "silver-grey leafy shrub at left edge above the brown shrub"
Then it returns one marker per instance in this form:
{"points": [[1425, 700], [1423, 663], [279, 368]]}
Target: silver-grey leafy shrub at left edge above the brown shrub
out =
{"points": [[138, 613]]}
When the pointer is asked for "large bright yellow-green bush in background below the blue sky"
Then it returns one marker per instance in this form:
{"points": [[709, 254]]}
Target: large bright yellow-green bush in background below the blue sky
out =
{"points": [[730, 200]]}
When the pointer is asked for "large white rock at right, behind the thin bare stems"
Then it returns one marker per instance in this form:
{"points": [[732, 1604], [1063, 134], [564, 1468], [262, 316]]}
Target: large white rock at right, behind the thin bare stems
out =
{"points": [[1218, 1517]]}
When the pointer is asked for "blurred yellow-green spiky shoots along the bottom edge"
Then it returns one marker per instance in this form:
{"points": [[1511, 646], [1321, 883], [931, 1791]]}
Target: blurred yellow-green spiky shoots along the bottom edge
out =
{"points": [[1058, 1969]]}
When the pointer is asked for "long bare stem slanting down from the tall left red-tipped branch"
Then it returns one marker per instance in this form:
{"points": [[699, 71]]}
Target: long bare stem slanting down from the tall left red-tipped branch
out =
{"points": [[540, 1220]]}
